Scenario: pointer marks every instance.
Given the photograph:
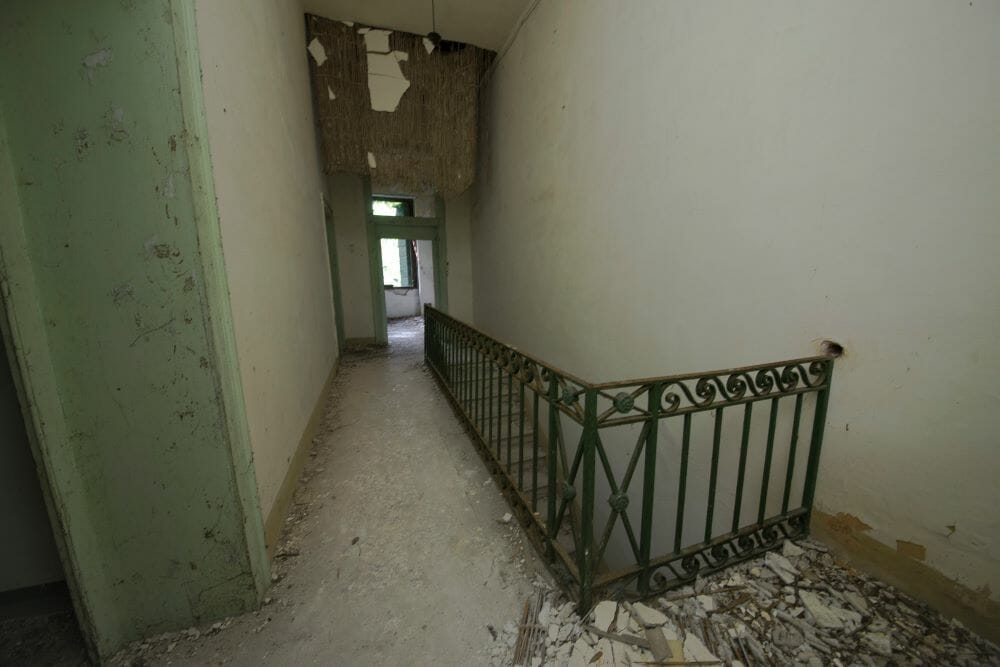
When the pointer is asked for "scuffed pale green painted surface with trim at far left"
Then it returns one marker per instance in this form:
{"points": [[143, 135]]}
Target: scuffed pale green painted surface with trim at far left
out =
{"points": [[116, 304]]}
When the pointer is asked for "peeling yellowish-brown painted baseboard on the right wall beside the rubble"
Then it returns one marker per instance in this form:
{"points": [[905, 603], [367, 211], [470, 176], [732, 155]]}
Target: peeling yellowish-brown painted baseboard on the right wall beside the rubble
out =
{"points": [[848, 538]]}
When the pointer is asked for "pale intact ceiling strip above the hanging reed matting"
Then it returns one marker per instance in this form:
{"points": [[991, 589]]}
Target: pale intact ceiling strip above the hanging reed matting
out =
{"points": [[484, 23]]}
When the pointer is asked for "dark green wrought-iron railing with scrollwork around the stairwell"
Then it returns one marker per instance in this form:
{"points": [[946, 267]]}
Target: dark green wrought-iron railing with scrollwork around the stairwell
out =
{"points": [[678, 433]]}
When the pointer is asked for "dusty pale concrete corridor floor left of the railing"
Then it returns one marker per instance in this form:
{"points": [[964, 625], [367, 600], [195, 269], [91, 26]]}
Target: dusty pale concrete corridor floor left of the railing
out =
{"points": [[395, 550]]}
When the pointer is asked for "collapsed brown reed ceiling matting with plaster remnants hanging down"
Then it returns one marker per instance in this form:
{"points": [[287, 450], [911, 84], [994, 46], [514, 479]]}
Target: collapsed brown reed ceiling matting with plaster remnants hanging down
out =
{"points": [[396, 107]]}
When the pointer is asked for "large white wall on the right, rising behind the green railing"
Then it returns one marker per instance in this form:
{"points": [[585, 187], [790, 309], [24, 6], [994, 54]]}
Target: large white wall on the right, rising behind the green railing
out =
{"points": [[686, 188]]}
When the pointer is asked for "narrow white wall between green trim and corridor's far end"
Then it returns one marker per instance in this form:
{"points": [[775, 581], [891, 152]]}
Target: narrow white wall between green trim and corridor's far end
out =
{"points": [[267, 179]]}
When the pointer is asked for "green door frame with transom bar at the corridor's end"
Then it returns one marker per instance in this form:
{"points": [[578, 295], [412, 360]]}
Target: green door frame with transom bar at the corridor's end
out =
{"points": [[404, 227]]}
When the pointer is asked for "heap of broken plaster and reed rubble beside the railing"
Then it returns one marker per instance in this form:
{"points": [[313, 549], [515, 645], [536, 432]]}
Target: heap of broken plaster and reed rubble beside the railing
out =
{"points": [[794, 607]]}
